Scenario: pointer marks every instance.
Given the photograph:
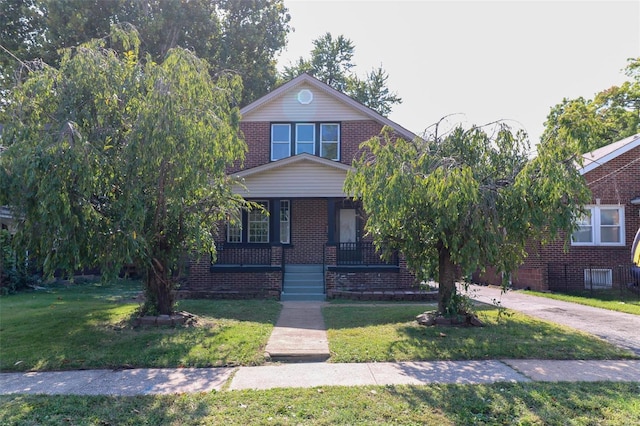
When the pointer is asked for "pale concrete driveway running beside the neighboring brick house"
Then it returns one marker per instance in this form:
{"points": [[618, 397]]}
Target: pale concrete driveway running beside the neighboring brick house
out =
{"points": [[615, 327]]}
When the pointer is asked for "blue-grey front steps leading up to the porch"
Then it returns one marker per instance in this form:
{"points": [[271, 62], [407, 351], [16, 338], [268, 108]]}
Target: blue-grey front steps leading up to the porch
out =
{"points": [[303, 283]]}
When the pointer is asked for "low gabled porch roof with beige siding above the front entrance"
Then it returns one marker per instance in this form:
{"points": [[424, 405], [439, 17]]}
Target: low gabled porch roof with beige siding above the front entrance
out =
{"points": [[300, 176]]}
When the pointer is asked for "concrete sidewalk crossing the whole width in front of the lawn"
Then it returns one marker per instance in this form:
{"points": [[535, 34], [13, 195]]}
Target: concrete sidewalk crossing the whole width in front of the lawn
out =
{"points": [[299, 375]]}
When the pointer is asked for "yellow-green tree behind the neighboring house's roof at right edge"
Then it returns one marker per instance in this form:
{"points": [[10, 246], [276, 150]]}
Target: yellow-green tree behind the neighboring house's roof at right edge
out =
{"points": [[613, 114]]}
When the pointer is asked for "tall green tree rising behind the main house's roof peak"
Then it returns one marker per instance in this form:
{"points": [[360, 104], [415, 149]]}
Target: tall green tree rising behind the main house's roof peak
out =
{"points": [[331, 63]]}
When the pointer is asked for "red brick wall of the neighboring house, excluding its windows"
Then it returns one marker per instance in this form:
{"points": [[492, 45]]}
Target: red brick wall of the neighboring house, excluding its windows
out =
{"points": [[613, 183]]}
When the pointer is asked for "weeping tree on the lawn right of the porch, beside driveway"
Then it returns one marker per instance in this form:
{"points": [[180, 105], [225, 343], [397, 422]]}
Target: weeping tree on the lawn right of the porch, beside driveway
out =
{"points": [[458, 201]]}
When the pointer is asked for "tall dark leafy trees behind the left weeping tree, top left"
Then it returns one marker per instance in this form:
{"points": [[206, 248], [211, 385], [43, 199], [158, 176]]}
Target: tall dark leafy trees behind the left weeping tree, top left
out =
{"points": [[239, 35]]}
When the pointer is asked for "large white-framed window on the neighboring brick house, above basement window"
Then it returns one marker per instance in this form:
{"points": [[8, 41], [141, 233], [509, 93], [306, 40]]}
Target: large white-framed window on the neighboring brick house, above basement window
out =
{"points": [[600, 226]]}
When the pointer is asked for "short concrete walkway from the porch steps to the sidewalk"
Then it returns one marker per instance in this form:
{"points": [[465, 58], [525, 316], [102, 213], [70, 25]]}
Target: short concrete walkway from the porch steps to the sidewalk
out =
{"points": [[300, 334]]}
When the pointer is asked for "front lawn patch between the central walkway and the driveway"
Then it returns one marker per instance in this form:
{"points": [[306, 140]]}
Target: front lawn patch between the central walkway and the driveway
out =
{"points": [[390, 333]]}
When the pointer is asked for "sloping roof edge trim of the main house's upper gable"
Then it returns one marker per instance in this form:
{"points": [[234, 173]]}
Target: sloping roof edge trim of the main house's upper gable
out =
{"points": [[339, 96]]}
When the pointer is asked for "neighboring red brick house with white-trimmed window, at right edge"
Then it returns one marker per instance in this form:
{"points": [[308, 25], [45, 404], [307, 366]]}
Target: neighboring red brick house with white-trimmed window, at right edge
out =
{"points": [[599, 255]]}
